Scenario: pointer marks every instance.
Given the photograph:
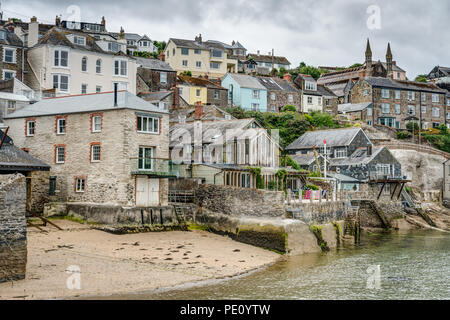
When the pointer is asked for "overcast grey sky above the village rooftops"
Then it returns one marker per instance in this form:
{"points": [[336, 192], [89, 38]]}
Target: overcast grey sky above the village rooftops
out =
{"points": [[318, 32]]}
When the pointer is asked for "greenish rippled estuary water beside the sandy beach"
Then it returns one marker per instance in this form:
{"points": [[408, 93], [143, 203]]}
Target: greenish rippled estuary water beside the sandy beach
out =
{"points": [[413, 265]]}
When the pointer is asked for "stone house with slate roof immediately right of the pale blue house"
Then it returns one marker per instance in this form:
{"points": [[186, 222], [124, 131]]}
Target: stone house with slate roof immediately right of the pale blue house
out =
{"points": [[280, 92]]}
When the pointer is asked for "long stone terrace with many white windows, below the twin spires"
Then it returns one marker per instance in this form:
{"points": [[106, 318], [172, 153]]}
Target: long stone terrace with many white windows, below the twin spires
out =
{"points": [[395, 102]]}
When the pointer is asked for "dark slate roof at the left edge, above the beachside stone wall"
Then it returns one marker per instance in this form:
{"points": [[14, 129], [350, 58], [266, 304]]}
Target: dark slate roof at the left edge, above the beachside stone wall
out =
{"points": [[15, 159]]}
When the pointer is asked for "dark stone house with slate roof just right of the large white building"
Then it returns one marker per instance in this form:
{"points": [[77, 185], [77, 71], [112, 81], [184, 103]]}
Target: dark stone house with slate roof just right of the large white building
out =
{"points": [[154, 75]]}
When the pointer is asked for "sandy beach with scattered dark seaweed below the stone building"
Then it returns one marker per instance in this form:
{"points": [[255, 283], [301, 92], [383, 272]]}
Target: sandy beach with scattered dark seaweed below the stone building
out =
{"points": [[118, 264]]}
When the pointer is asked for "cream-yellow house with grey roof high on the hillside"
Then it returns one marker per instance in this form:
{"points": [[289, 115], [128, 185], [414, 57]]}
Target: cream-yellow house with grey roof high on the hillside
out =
{"points": [[210, 58]]}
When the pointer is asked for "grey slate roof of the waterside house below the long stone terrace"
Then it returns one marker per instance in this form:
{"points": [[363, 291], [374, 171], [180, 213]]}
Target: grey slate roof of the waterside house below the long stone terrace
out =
{"points": [[334, 137]]}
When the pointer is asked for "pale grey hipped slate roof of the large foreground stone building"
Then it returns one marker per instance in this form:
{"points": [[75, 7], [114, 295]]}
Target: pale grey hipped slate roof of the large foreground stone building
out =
{"points": [[84, 103]]}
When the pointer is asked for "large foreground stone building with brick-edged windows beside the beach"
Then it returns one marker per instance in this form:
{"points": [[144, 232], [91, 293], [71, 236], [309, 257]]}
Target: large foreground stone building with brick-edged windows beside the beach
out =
{"points": [[106, 148]]}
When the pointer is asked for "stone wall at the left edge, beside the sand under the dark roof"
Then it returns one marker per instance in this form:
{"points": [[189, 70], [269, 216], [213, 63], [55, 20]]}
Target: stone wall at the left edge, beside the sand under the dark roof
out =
{"points": [[13, 227]]}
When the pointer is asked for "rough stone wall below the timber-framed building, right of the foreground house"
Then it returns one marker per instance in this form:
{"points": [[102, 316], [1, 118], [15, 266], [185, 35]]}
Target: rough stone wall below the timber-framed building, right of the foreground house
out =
{"points": [[233, 201]]}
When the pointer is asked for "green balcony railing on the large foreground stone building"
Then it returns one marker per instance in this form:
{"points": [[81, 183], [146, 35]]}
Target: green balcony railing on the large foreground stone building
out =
{"points": [[164, 168]]}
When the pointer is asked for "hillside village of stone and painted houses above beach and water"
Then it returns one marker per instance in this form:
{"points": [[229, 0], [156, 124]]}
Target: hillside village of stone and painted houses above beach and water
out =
{"points": [[112, 128]]}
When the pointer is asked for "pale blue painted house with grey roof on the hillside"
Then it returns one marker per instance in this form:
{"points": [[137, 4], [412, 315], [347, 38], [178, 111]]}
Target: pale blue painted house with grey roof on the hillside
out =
{"points": [[245, 91]]}
